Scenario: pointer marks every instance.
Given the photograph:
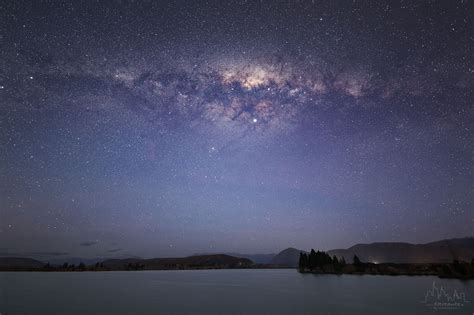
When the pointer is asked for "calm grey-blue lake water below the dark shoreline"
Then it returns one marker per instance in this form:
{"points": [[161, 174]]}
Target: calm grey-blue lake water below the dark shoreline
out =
{"points": [[228, 292]]}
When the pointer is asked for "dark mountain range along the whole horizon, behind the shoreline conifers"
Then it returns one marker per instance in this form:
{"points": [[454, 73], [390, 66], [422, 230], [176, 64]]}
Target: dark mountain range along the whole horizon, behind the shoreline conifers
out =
{"points": [[443, 251]]}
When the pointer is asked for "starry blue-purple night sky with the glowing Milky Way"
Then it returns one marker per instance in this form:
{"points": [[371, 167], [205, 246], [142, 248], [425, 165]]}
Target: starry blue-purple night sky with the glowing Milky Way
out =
{"points": [[170, 128]]}
